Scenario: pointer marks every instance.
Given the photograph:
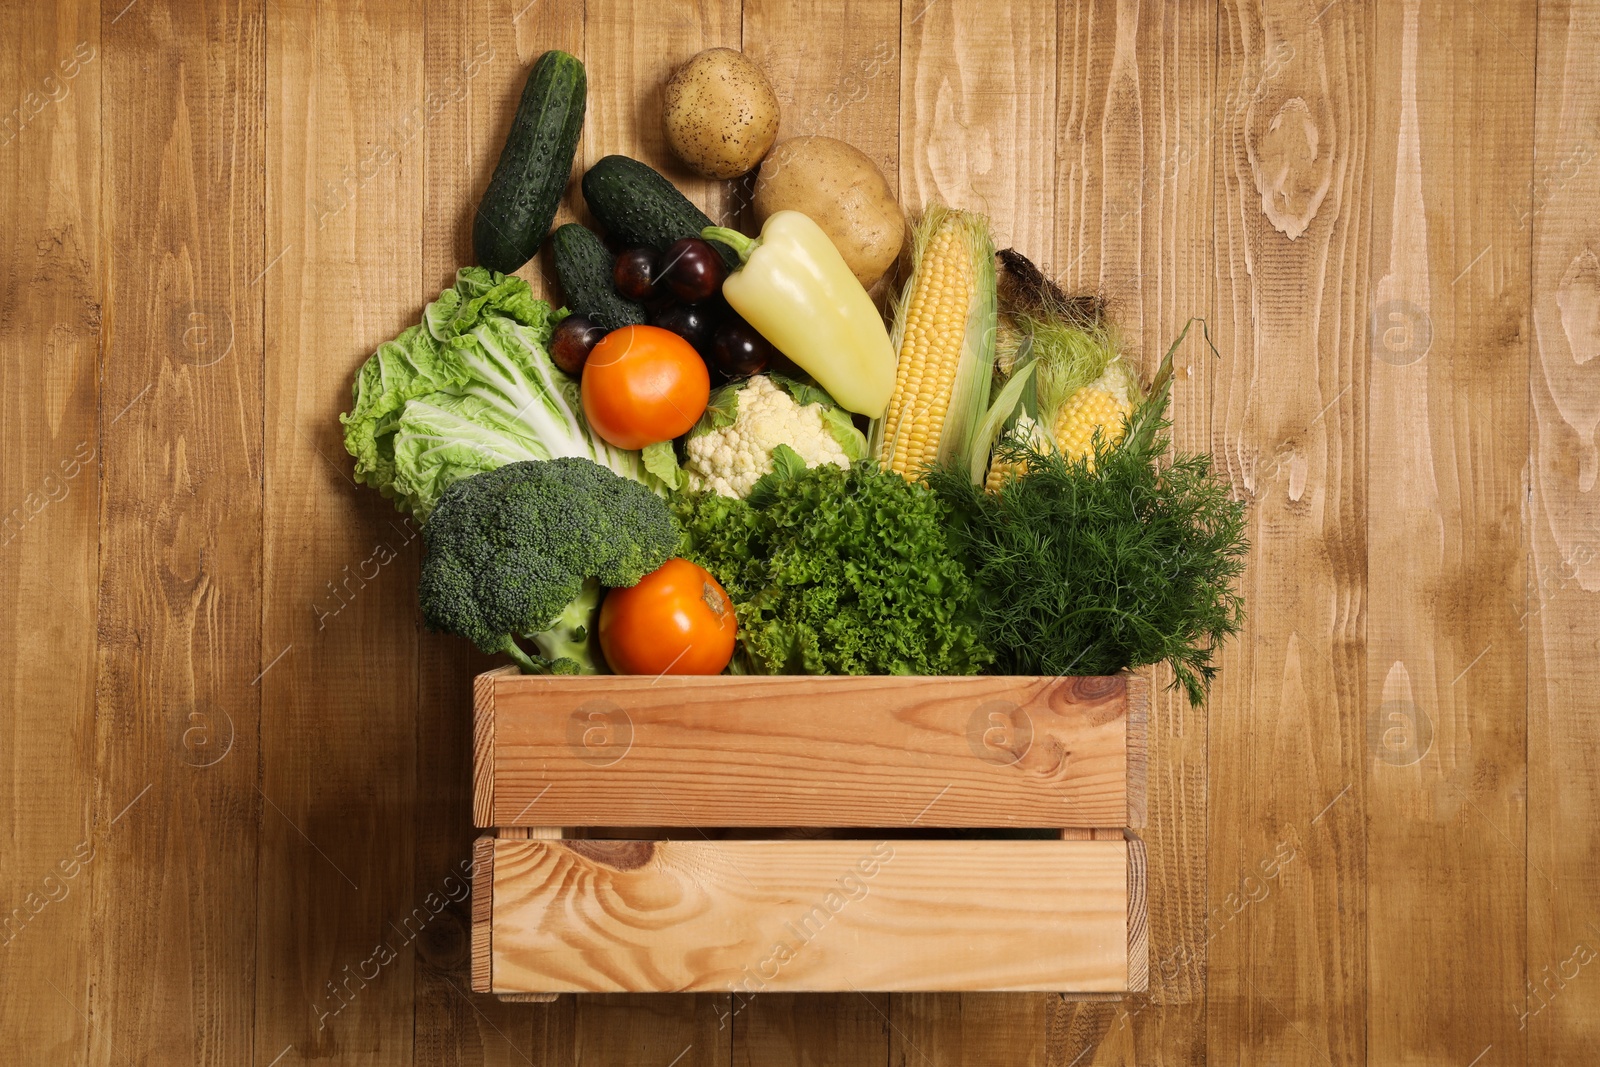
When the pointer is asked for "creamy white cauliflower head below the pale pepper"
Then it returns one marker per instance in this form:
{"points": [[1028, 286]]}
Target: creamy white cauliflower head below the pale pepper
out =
{"points": [[746, 422]]}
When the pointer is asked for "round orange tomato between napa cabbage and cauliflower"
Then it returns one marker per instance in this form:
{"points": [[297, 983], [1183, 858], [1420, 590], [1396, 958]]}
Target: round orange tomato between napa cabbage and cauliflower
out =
{"points": [[644, 385]]}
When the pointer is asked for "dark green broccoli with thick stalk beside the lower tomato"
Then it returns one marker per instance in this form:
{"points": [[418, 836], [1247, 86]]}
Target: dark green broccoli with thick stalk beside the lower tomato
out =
{"points": [[524, 551]]}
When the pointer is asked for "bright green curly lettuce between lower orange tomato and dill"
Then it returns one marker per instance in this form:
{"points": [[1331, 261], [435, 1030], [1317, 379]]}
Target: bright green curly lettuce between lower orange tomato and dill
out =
{"points": [[838, 572]]}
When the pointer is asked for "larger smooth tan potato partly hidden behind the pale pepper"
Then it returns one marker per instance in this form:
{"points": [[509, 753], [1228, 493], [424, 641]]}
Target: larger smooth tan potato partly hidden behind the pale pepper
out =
{"points": [[844, 193]]}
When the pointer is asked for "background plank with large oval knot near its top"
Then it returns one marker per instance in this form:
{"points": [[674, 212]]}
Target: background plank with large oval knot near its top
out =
{"points": [[1286, 961]]}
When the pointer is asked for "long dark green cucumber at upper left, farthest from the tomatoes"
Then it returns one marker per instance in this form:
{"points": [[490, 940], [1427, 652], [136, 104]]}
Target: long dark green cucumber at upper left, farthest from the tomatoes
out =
{"points": [[519, 206]]}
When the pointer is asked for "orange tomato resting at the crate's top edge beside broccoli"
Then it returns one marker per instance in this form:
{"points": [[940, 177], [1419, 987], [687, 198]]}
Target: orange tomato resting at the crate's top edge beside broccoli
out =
{"points": [[676, 621]]}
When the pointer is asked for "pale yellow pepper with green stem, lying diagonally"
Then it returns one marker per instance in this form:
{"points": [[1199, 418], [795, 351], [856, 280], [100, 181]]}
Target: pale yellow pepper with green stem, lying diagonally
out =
{"points": [[798, 292]]}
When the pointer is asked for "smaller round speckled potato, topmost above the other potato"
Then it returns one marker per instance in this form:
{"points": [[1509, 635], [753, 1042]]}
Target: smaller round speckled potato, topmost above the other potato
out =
{"points": [[721, 114]]}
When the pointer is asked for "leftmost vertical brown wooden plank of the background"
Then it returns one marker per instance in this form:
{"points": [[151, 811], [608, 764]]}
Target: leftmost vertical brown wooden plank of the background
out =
{"points": [[52, 244]]}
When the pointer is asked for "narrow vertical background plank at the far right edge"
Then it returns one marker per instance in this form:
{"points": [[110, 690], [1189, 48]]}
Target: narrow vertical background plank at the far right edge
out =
{"points": [[1561, 1004]]}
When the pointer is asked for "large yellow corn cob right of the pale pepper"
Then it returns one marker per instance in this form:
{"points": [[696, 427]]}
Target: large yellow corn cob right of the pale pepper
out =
{"points": [[945, 337]]}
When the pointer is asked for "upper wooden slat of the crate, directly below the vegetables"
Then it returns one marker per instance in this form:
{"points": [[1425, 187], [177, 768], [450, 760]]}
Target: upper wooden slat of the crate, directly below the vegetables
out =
{"points": [[836, 753]]}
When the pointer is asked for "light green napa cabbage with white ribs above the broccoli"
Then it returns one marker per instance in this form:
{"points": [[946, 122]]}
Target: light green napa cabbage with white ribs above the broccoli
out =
{"points": [[466, 391]]}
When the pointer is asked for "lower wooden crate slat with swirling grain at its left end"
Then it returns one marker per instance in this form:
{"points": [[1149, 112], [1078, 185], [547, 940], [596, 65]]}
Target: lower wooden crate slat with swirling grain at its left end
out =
{"points": [[809, 916]]}
